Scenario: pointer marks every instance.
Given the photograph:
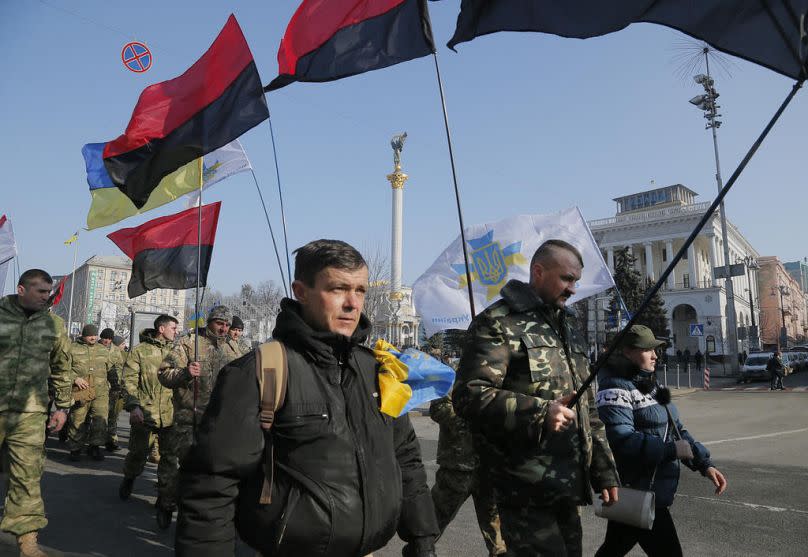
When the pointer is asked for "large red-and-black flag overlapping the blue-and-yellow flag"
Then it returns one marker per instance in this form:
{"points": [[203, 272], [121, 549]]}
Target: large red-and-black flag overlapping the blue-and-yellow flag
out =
{"points": [[174, 122]]}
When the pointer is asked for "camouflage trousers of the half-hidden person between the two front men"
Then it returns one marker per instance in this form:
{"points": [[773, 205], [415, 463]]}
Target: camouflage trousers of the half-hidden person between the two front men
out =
{"points": [[452, 488]]}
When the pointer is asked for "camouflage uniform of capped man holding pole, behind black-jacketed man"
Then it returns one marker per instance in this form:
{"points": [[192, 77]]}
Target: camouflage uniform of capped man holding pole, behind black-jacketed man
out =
{"points": [[214, 353]]}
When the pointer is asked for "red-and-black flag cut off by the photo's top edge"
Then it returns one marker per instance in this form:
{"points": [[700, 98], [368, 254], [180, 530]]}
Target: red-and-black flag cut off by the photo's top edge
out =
{"points": [[327, 40]]}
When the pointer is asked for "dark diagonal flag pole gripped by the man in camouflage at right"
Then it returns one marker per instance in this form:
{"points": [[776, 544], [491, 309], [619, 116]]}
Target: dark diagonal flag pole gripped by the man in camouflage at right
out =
{"points": [[704, 219]]}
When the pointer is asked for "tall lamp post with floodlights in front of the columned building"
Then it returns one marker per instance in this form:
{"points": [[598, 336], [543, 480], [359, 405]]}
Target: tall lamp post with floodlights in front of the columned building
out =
{"points": [[706, 102]]}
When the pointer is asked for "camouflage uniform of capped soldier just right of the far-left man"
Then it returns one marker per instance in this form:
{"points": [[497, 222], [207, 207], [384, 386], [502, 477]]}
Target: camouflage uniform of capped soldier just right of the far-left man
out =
{"points": [[93, 363]]}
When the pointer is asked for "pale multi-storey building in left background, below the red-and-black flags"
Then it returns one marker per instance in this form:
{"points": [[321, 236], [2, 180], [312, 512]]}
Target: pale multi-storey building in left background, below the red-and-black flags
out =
{"points": [[99, 296]]}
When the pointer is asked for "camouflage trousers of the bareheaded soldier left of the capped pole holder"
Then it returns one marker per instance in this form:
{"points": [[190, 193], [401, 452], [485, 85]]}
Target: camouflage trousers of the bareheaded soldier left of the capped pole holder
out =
{"points": [[140, 441]]}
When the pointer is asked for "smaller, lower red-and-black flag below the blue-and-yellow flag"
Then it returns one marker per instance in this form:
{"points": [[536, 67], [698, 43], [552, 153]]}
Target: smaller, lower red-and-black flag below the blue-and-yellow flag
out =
{"points": [[164, 250]]}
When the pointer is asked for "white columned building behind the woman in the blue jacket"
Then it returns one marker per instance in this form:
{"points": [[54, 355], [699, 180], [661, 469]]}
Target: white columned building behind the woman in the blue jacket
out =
{"points": [[654, 224]]}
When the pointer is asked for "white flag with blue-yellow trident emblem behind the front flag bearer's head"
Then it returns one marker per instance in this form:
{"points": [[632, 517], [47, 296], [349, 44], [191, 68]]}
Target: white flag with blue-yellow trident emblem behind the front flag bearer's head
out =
{"points": [[498, 252]]}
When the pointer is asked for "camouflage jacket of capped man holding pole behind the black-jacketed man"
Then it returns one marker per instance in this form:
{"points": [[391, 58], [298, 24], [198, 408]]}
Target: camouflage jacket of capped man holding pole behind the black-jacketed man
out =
{"points": [[214, 354]]}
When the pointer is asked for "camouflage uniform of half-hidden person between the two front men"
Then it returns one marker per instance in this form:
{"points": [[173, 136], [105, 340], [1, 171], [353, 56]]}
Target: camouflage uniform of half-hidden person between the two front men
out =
{"points": [[458, 477]]}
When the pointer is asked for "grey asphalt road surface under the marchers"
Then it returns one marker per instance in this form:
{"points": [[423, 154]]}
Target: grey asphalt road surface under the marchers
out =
{"points": [[758, 438]]}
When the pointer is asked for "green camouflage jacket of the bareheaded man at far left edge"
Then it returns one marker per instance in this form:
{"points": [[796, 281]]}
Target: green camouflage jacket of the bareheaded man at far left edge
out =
{"points": [[34, 350]]}
